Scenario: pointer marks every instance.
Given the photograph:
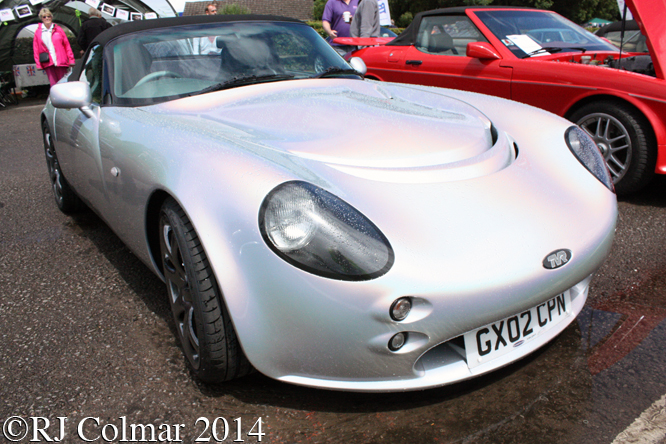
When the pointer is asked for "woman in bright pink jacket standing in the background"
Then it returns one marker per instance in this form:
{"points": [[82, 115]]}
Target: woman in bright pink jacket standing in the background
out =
{"points": [[51, 39]]}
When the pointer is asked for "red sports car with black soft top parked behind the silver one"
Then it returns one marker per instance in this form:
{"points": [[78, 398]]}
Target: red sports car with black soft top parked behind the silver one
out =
{"points": [[542, 59]]}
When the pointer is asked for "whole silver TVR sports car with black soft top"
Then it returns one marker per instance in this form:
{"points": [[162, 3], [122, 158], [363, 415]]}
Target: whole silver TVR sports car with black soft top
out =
{"points": [[326, 230]]}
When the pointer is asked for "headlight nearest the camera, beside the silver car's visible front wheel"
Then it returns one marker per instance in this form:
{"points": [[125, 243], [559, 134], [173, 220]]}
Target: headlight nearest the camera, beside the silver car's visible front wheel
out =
{"points": [[320, 233]]}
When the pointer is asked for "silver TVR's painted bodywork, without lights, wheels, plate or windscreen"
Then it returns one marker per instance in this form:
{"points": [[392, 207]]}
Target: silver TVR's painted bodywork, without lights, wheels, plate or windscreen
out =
{"points": [[469, 222]]}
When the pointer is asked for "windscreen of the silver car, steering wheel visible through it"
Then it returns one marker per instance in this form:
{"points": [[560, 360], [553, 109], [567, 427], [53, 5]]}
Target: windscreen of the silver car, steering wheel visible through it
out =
{"points": [[162, 64]]}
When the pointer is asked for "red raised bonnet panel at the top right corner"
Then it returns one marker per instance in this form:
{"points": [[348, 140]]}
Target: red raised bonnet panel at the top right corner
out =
{"points": [[651, 16]]}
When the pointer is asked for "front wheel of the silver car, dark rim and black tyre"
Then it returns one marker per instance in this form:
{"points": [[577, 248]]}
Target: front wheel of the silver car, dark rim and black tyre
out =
{"points": [[203, 325]]}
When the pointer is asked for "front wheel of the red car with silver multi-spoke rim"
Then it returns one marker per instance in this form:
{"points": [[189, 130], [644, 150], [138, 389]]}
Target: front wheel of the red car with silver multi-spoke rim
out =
{"points": [[625, 139]]}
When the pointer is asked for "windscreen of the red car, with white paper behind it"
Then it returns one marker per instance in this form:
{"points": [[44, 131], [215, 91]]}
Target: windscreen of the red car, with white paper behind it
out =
{"points": [[535, 33]]}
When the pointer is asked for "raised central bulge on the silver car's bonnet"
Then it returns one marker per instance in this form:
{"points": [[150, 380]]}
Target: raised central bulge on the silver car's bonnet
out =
{"points": [[347, 123]]}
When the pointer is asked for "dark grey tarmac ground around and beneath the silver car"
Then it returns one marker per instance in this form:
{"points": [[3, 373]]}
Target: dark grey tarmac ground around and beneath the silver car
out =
{"points": [[86, 332]]}
